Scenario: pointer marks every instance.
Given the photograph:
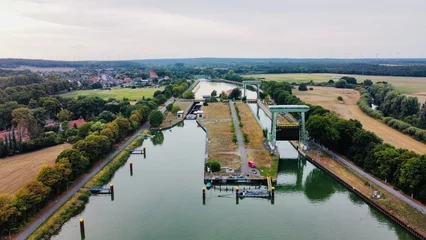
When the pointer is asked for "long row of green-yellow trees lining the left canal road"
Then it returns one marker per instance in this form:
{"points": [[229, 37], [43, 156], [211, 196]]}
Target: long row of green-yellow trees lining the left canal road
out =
{"points": [[93, 140]]}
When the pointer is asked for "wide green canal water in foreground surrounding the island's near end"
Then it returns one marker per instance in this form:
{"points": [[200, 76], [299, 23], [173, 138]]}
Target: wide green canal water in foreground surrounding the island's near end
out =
{"points": [[163, 200]]}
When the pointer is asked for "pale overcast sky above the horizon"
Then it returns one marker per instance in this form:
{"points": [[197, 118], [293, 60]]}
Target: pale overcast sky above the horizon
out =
{"points": [[139, 29]]}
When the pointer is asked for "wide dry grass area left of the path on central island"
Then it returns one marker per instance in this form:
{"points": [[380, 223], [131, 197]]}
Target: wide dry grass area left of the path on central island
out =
{"points": [[218, 122]]}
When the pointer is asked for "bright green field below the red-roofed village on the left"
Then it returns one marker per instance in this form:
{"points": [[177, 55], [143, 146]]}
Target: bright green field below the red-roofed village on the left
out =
{"points": [[117, 93]]}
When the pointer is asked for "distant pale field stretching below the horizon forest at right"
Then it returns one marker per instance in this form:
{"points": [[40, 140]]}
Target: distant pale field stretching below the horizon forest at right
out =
{"points": [[406, 85]]}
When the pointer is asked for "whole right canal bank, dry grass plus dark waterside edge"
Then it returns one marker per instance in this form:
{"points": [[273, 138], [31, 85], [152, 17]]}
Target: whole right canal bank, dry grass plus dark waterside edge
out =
{"points": [[399, 211]]}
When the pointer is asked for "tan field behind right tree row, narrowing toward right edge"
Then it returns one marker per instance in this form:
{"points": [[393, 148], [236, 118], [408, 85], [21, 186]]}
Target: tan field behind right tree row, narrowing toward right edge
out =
{"points": [[327, 98]]}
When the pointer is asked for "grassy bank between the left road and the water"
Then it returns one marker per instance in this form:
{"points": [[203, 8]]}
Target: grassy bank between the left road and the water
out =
{"points": [[77, 202]]}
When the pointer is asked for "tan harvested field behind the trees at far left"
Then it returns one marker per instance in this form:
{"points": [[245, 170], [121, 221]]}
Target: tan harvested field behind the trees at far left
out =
{"points": [[17, 170]]}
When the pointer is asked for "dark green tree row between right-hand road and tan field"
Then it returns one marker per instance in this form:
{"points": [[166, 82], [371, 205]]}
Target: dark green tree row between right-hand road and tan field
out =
{"points": [[403, 168]]}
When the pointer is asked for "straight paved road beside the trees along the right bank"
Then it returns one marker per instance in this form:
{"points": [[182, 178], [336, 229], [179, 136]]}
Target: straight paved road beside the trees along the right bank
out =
{"points": [[390, 189]]}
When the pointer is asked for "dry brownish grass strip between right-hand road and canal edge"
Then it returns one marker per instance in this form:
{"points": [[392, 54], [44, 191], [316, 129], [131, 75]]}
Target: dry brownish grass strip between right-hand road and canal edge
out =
{"points": [[392, 204]]}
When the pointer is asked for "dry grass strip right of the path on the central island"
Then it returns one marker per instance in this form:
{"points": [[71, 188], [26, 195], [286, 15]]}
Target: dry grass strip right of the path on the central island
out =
{"points": [[256, 151]]}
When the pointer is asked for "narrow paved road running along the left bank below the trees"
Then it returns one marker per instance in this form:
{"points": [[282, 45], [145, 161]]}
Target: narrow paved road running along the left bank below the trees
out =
{"points": [[71, 192]]}
